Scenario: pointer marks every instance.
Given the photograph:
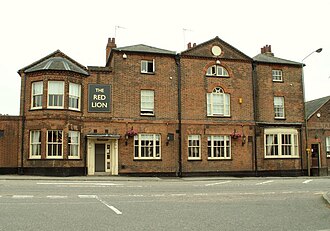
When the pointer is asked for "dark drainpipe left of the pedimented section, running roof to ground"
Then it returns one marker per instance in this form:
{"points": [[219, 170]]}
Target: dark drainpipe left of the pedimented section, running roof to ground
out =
{"points": [[178, 64]]}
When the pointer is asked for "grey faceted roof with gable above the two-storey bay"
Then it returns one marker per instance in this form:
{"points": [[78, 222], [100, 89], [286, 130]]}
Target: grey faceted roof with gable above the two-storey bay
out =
{"points": [[56, 61]]}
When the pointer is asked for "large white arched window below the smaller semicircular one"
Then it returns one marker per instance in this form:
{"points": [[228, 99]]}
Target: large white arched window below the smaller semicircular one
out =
{"points": [[218, 103]]}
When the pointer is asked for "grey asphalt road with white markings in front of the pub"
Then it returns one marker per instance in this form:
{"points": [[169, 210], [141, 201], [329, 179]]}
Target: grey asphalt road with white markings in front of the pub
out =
{"points": [[165, 204]]}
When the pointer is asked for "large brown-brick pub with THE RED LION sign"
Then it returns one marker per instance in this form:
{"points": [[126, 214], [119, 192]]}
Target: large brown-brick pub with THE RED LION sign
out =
{"points": [[208, 110]]}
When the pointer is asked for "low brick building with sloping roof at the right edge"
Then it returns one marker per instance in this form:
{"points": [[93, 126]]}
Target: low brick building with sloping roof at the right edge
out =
{"points": [[318, 124]]}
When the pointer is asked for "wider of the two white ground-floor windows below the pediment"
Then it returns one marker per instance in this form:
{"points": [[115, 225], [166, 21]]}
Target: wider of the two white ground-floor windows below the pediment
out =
{"points": [[218, 147]]}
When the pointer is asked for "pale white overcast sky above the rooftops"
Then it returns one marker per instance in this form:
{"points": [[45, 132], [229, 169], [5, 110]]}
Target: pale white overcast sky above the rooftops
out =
{"points": [[33, 29]]}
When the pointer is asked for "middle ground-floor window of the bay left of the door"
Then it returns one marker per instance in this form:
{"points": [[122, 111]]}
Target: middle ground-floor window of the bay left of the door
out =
{"points": [[54, 144]]}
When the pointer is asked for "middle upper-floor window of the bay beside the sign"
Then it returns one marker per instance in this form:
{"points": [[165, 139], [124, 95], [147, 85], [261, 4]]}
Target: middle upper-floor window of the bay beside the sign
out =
{"points": [[55, 94]]}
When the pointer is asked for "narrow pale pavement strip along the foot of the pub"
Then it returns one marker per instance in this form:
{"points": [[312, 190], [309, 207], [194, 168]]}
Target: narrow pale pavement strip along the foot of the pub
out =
{"points": [[326, 195]]}
